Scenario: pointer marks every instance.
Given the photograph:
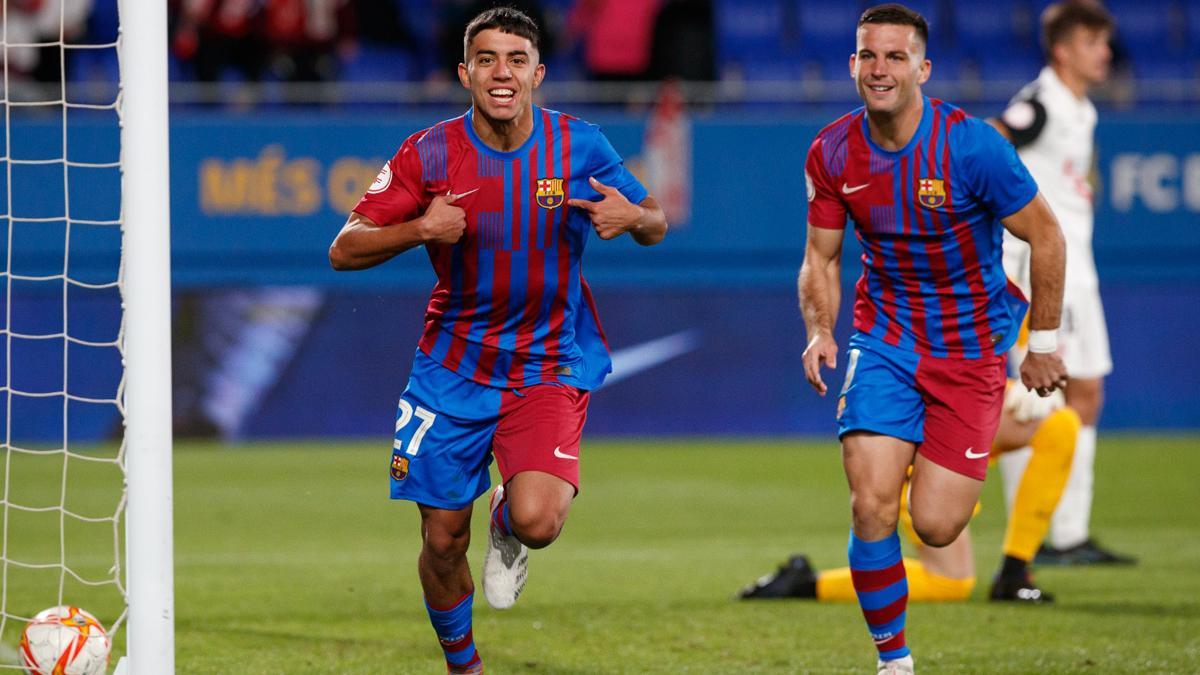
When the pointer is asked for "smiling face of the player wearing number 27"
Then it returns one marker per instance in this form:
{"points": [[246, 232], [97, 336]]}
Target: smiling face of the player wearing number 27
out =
{"points": [[502, 71]]}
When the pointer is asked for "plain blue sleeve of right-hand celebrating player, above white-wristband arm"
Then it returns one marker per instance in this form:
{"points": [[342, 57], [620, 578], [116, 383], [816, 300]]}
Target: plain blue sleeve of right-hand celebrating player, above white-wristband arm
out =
{"points": [[994, 172]]}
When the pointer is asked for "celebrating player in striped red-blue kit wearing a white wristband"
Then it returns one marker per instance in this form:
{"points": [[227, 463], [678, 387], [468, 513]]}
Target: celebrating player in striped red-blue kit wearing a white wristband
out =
{"points": [[931, 192]]}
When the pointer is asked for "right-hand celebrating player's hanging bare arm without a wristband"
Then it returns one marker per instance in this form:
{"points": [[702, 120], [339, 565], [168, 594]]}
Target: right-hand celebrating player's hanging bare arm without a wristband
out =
{"points": [[820, 292]]}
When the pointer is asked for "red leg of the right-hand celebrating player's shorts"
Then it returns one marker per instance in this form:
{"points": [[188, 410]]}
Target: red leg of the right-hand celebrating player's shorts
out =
{"points": [[963, 399]]}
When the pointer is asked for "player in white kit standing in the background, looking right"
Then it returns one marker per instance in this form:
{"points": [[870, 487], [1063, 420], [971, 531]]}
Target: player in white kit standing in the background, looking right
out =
{"points": [[1053, 123]]}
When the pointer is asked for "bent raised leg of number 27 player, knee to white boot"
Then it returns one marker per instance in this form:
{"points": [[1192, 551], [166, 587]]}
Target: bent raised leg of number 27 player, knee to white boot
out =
{"points": [[527, 513]]}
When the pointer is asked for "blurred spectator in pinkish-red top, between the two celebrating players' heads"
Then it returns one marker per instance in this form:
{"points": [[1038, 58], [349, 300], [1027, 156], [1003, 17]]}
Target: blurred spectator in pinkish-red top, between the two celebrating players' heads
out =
{"points": [[616, 37]]}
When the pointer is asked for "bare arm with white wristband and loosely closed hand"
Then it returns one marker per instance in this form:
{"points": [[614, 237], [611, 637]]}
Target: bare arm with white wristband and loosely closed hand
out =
{"points": [[1035, 224]]}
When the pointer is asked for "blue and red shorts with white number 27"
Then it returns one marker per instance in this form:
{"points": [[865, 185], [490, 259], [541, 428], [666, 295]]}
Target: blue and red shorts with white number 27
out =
{"points": [[448, 429]]}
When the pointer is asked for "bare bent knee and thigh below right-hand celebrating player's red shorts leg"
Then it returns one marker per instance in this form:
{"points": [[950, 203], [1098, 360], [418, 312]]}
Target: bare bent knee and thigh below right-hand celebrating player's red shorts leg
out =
{"points": [[941, 501]]}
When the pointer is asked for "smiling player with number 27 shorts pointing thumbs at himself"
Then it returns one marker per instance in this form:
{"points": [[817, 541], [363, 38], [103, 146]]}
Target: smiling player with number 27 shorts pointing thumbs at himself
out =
{"points": [[503, 200]]}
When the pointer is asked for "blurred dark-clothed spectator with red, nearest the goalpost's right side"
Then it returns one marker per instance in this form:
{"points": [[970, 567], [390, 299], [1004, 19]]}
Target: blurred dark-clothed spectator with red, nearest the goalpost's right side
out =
{"points": [[214, 35]]}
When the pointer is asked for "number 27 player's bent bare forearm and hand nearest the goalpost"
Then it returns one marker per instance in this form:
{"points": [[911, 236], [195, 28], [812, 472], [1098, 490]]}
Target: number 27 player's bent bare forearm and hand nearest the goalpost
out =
{"points": [[364, 243]]}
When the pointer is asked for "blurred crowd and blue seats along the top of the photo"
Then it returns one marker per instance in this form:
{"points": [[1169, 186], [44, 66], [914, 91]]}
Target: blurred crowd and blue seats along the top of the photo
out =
{"points": [[597, 40]]}
